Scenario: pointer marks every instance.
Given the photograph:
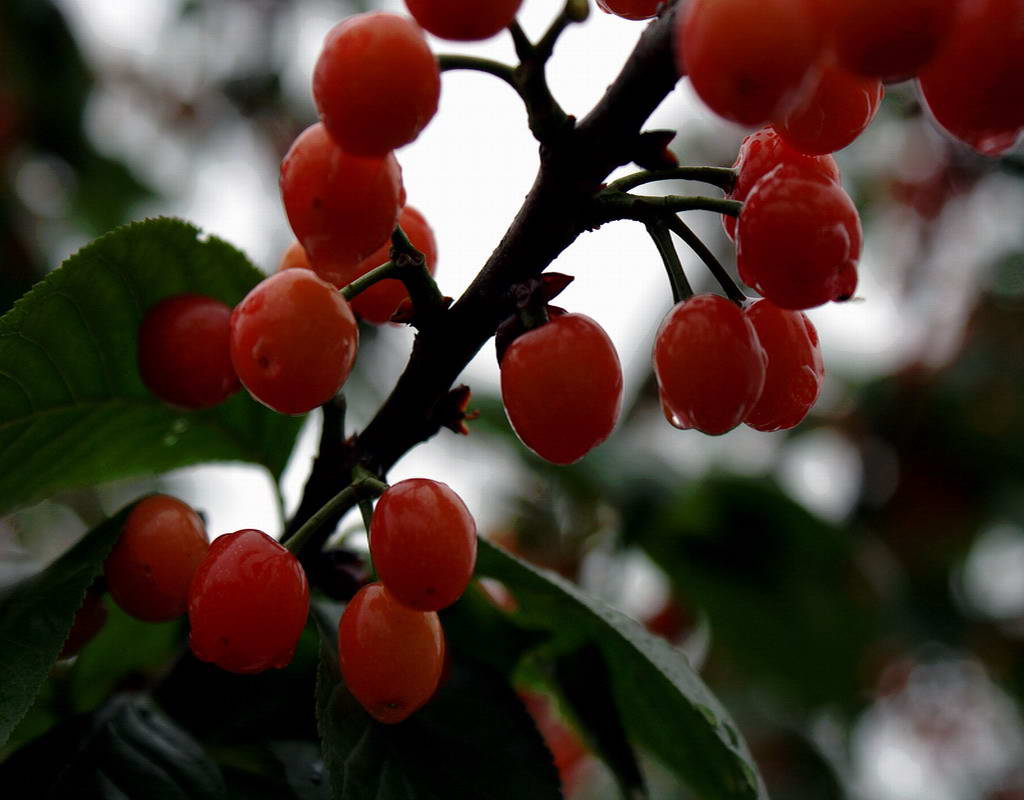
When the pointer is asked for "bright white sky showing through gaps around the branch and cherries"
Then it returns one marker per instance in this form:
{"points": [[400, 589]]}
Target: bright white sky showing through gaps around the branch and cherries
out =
{"points": [[468, 173]]}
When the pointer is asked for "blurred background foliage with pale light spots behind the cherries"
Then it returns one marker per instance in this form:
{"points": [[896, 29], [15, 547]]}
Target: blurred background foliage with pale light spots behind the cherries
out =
{"points": [[852, 591]]}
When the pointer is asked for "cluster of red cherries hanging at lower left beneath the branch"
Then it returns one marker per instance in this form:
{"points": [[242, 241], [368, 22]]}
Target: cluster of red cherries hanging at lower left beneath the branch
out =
{"points": [[248, 599]]}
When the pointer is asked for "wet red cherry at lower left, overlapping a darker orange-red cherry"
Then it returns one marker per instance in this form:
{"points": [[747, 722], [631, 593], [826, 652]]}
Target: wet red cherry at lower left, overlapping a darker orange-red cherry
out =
{"points": [[248, 604]]}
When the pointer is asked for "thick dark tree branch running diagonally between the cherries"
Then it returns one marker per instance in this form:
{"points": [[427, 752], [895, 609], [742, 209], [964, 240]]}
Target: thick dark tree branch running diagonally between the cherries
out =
{"points": [[559, 208]]}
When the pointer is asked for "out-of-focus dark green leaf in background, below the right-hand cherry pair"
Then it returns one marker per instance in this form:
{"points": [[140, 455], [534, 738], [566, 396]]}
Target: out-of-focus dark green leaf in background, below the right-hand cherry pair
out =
{"points": [[773, 579]]}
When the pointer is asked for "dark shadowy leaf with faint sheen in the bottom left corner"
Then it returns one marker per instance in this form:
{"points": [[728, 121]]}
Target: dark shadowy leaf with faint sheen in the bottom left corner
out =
{"points": [[126, 749]]}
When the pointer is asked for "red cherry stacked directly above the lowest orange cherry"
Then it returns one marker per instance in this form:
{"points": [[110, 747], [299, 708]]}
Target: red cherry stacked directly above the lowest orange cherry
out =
{"points": [[423, 544]]}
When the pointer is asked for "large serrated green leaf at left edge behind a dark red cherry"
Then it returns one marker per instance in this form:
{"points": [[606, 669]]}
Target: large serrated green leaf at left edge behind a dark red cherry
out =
{"points": [[73, 408]]}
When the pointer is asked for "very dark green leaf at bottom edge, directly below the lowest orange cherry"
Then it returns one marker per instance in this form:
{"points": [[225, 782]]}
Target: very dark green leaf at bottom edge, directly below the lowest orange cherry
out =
{"points": [[474, 740]]}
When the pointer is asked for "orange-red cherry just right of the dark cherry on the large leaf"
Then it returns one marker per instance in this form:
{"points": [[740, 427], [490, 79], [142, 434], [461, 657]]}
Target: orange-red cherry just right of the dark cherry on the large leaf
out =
{"points": [[293, 342]]}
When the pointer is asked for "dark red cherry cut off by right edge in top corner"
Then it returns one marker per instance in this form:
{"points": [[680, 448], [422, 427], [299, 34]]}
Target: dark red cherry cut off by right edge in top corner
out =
{"points": [[973, 87]]}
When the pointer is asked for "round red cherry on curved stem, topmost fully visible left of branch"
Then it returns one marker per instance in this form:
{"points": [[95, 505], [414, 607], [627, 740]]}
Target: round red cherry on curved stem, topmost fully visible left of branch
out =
{"points": [[376, 83]]}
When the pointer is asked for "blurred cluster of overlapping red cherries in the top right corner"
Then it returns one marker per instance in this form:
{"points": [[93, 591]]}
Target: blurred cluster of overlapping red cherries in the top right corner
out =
{"points": [[815, 68]]}
